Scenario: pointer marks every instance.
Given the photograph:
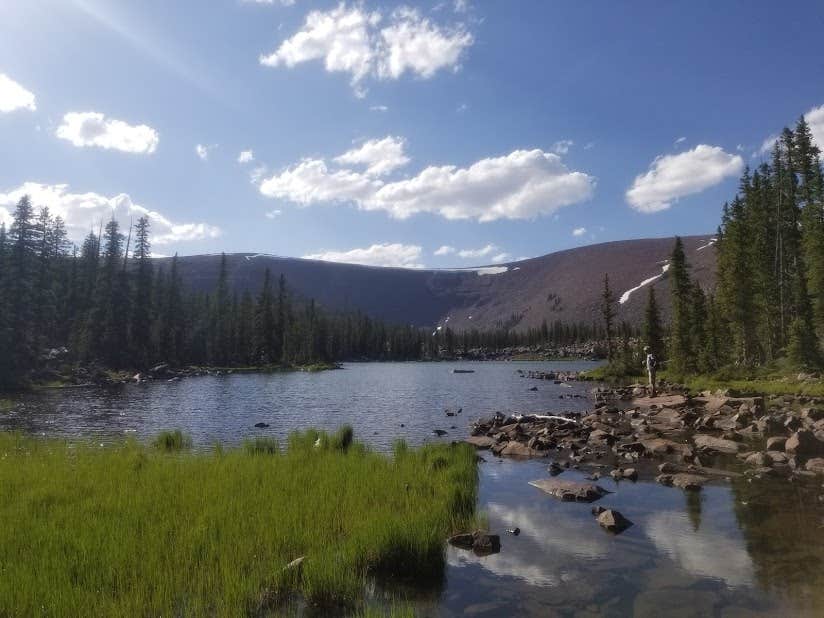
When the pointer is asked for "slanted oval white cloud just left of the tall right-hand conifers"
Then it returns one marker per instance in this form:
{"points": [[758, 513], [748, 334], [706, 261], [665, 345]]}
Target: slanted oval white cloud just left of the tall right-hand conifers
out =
{"points": [[671, 177]]}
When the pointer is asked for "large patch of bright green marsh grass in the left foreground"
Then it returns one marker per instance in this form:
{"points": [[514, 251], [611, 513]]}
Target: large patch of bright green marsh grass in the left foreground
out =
{"points": [[131, 530]]}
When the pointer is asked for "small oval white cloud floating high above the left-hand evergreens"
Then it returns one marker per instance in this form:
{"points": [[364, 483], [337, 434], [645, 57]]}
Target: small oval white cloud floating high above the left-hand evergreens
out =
{"points": [[84, 129]]}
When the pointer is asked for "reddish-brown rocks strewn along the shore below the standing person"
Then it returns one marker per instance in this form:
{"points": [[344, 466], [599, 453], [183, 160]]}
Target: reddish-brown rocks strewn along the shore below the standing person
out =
{"points": [[680, 440]]}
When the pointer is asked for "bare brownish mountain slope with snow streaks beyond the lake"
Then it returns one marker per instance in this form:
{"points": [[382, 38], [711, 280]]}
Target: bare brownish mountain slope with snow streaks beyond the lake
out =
{"points": [[563, 286]]}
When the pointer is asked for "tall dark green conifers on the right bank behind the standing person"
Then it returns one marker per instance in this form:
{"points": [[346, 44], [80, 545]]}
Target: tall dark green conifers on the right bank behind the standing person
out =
{"points": [[768, 302]]}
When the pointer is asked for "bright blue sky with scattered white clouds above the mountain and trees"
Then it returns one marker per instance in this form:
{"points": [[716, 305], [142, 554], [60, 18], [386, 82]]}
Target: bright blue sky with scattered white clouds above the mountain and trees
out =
{"points": [[383, 132]]}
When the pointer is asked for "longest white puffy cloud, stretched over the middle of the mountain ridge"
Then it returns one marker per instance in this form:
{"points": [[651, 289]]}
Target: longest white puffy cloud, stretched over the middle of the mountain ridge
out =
{"points": [[521, 185]]}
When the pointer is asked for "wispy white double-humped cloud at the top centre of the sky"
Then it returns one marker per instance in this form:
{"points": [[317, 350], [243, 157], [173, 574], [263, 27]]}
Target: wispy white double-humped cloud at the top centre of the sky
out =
{"points": [[352, 40]]}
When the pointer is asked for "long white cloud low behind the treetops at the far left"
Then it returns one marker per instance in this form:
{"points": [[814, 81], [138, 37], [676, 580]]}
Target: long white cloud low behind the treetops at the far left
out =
{"points": [[84, 211]]}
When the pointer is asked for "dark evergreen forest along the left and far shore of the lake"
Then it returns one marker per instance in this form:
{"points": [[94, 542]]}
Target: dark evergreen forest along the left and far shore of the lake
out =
{"points": [[107, 304]]}
